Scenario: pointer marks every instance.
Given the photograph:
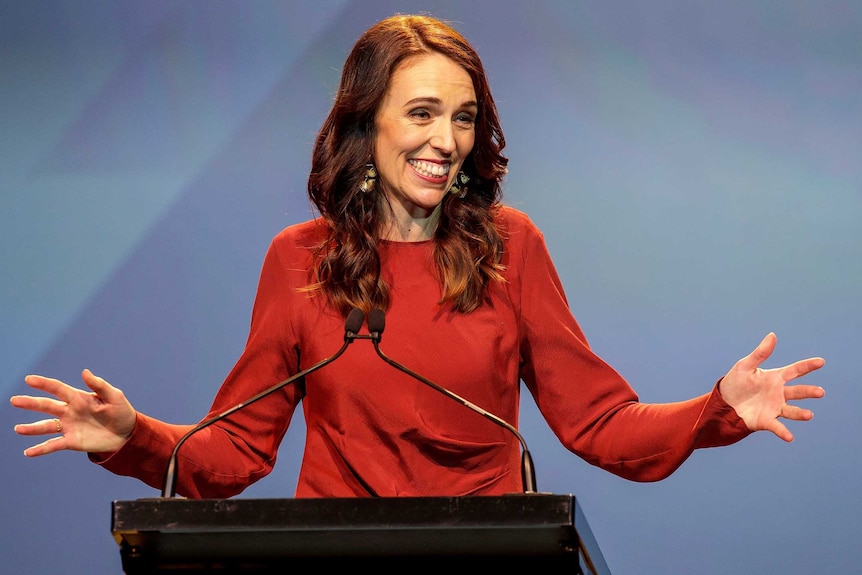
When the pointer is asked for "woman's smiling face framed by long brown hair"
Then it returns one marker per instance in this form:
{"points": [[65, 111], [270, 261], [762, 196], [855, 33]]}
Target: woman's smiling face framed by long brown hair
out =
{"points": [[425, 130]]}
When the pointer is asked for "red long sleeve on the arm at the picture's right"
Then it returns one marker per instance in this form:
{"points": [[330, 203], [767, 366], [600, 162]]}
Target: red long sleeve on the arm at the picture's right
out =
{"points": [[589, 406]]}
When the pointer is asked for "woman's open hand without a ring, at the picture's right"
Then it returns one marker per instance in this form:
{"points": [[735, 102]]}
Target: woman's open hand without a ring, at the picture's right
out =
{"points": [[760, 396]]}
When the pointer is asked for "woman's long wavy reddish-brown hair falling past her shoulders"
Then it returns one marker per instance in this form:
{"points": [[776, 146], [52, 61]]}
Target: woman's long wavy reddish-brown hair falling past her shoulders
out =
{"points": [[468, 246]]}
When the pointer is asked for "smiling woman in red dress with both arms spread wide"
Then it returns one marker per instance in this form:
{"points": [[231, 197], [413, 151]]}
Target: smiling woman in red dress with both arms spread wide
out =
{"points": [[406, 176]]}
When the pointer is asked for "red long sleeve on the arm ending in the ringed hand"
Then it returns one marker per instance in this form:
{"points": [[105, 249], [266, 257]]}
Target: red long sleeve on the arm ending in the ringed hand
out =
{"points": [[221, 460]]}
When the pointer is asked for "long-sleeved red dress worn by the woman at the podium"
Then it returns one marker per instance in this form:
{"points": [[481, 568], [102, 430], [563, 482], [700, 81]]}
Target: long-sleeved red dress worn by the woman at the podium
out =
{"points": [[372, 430]]}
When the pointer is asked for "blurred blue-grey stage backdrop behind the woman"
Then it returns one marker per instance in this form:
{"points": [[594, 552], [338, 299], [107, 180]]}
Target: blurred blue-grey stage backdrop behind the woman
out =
{"points": [[694, 165]]}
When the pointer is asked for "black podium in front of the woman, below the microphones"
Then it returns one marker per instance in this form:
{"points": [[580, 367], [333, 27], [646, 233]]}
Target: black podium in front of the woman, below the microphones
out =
{"points": [[268, 536]]}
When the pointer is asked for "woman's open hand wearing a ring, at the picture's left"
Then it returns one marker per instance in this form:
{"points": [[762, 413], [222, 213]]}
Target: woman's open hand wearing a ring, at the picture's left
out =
{"points": [[97, 421]]}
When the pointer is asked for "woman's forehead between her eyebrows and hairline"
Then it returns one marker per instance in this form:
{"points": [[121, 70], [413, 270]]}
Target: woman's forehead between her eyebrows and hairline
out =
{"points": [[430, 75]]}
